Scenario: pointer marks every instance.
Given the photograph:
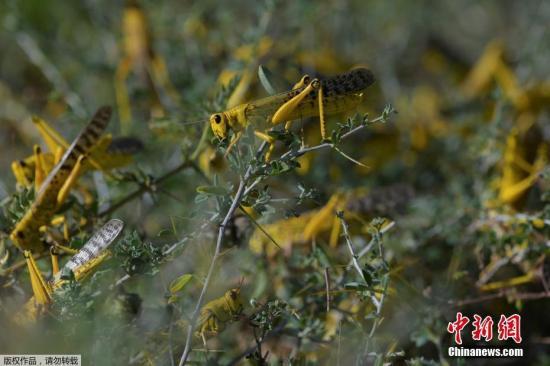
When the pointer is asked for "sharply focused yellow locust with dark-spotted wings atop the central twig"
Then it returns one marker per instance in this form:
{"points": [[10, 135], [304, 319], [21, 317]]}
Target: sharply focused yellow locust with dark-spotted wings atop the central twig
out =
{"points": [[308, 98]]}
